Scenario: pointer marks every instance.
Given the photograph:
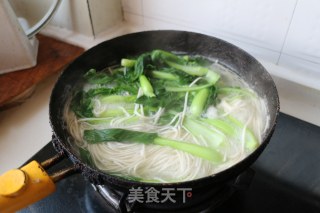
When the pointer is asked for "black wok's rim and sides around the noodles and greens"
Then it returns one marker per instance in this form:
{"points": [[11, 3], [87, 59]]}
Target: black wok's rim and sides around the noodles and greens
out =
{"points": [[110, 53]]}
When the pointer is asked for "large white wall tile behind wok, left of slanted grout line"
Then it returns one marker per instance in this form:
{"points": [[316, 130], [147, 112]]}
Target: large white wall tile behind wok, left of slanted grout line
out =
{"points": [[262, 24]]}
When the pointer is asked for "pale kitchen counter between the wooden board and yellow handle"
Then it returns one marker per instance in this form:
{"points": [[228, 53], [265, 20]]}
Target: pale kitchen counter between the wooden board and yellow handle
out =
{"points": [[25, 129]]}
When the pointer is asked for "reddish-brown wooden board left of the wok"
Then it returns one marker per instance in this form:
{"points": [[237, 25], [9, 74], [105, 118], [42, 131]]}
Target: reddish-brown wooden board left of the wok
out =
{"points": [[53, 56]]}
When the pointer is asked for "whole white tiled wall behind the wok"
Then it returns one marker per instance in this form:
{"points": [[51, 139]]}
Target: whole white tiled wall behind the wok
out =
{"points": [[284, 33]]}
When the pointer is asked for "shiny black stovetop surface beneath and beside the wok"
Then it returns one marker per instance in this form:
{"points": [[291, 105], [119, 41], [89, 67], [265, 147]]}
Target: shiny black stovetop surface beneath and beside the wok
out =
{"points": [[287, 178]]}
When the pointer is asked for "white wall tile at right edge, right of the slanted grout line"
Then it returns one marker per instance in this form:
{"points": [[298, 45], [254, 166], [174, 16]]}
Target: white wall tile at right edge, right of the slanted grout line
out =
{"points": [[302, 46]]}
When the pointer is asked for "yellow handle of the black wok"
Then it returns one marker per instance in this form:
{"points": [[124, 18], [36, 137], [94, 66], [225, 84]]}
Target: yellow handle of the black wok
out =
{"points": [[22, 187]]}
